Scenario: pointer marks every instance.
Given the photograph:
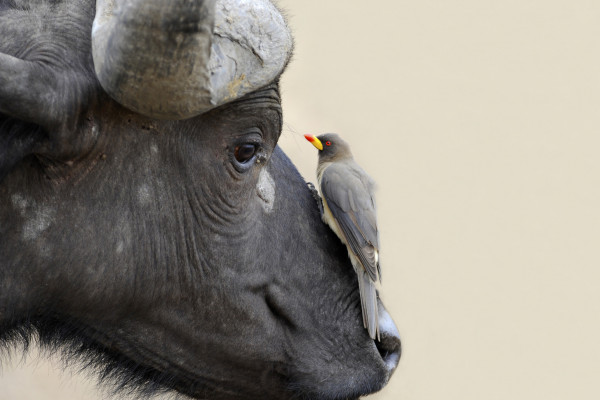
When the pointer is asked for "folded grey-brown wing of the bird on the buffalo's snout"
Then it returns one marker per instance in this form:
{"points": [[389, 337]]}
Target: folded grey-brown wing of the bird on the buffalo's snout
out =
{"points": [[348, 191]]}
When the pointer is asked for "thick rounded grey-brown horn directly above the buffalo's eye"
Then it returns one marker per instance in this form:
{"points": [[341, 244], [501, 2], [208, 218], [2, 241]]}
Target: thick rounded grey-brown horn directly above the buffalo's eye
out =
{"points": [[174, 59]]}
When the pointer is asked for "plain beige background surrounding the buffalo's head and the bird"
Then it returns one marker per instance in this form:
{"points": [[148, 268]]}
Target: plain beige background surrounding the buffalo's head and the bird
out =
{"points": [[479, 120]]}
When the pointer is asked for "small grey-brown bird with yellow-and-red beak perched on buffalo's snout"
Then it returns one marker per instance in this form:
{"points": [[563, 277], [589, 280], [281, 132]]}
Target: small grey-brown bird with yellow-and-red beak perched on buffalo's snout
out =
{"points": [[348, 208]]}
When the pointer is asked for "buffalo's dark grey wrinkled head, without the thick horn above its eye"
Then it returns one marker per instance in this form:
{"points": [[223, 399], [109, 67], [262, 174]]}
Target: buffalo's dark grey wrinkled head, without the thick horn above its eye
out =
{"points": [[144, 246]]}
